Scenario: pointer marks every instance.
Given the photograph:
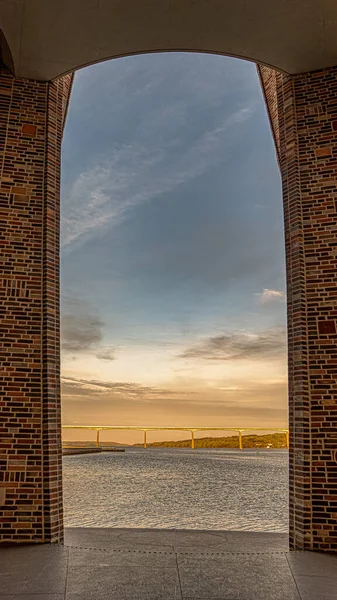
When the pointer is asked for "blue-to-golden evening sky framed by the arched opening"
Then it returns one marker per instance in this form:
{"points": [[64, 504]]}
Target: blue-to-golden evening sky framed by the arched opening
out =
{"points": [[172, 254]]}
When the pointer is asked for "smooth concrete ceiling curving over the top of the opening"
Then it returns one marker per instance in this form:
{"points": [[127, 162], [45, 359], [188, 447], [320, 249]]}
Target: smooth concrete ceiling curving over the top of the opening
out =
{"points": [[47, 38]]}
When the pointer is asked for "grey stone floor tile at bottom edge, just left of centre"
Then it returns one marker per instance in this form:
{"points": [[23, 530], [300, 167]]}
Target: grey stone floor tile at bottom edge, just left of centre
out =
{"points": [[122, 583]]}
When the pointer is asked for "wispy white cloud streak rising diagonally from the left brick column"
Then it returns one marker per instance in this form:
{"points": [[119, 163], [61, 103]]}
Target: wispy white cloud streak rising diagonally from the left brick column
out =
{"points": [[135, 173]]}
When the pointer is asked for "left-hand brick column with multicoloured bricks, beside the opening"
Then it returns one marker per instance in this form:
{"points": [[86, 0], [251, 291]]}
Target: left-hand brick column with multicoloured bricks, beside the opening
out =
{"points": [[31, 123]]}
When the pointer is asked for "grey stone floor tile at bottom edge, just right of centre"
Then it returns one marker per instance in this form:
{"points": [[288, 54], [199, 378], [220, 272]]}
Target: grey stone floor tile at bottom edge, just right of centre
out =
{"points": [[237, 577]]}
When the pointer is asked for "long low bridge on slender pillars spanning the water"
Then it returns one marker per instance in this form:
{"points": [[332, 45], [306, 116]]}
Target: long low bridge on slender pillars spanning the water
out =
{"points": [[191, 430]]}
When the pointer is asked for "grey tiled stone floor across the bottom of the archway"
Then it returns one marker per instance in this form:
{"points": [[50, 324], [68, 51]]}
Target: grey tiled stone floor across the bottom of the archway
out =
{"points": [[140, 564]]}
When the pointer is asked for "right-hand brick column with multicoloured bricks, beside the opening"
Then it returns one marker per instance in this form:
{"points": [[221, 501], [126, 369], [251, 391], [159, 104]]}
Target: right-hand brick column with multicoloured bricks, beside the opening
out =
{"points": [[303, 114]]}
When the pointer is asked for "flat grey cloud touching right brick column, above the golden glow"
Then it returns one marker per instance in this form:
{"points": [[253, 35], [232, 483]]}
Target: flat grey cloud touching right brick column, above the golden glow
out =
{"points": [[265, 345]]}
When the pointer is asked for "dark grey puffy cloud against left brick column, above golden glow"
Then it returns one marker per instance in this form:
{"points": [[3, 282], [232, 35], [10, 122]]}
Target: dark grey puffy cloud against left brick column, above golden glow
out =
{"points": [[82, 332]]}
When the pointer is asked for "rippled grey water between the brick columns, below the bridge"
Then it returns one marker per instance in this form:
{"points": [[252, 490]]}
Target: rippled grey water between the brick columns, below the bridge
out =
{"points": [[173, 488]]}
